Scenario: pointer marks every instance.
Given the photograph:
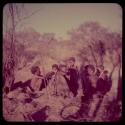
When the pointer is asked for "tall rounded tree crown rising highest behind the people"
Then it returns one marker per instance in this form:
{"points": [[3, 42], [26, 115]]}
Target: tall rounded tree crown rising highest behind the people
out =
{"points": [[89, 35]]}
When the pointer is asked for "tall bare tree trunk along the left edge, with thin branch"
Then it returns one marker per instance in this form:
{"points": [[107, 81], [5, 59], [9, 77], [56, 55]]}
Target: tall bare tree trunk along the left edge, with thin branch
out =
{"points": [[13, 15]]}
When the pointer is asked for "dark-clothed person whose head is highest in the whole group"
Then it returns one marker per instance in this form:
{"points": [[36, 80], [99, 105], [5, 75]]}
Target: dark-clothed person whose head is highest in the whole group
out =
{"points": [[73, 74]]}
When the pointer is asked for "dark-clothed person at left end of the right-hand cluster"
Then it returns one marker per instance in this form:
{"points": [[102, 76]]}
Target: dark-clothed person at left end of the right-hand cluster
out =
{"points": [[89, 88]]}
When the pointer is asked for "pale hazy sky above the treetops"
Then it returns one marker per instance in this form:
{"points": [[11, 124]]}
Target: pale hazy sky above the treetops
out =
{"points": [[60, 18]]}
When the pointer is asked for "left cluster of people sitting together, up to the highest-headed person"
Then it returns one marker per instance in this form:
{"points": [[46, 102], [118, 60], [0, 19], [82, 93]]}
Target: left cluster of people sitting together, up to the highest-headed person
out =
{"points": [[61, 80]]}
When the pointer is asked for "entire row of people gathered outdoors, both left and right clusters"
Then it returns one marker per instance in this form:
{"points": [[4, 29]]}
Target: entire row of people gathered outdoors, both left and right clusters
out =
{"points": [[64, 80]]}
